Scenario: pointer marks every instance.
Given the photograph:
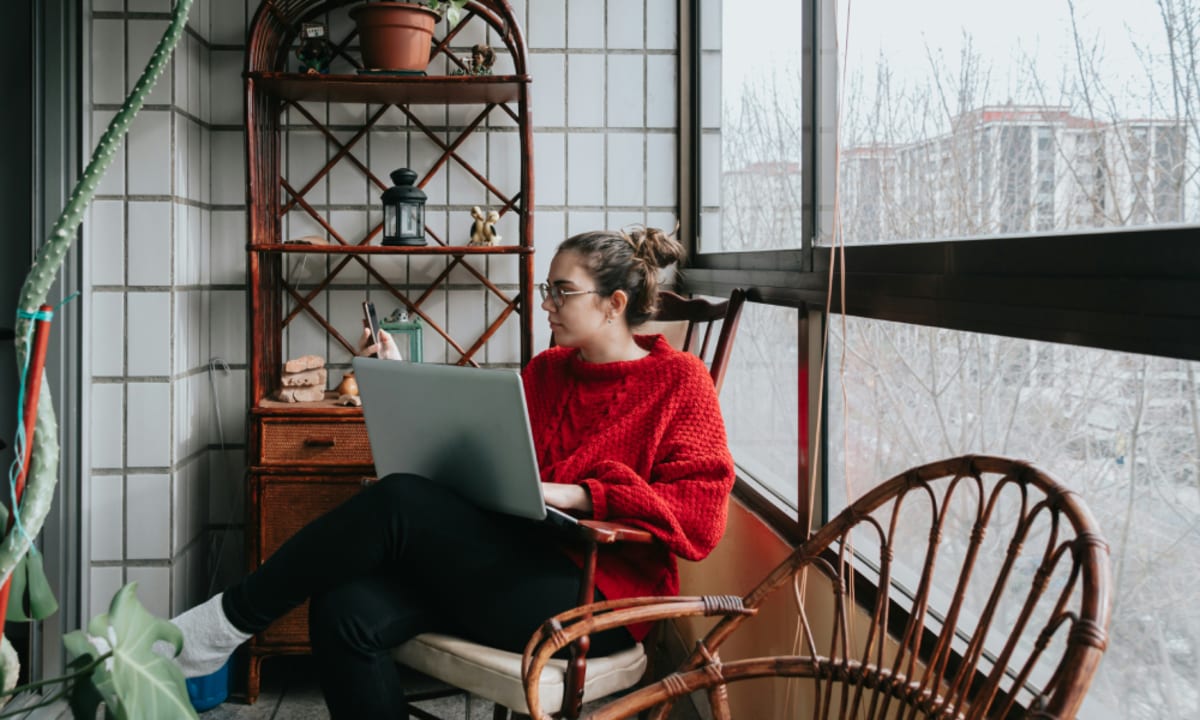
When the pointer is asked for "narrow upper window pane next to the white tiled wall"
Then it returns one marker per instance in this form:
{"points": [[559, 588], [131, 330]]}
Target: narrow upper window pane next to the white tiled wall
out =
{"points": [[752, 125]]}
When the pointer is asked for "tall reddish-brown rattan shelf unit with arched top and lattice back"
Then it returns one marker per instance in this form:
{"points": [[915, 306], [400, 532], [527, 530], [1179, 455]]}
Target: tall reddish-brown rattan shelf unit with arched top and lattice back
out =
{"points": [[307, 458]]}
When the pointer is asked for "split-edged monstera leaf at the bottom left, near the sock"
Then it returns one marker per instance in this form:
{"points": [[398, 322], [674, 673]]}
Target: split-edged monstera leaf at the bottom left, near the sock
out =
{"points": [[135, 683]]}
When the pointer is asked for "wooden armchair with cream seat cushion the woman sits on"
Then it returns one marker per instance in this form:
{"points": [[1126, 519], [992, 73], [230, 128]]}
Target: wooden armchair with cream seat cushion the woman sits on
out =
{"points": [[497, 675]]}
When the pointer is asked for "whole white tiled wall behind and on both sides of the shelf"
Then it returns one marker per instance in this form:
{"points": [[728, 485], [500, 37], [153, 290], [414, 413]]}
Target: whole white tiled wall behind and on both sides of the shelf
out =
{"points": [[166, 249]]}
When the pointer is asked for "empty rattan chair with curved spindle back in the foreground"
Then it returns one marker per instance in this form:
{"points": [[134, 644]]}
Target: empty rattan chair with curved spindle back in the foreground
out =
{"points": [[974, 587]]}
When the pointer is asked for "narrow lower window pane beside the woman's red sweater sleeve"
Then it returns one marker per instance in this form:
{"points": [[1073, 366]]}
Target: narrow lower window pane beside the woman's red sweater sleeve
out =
{"points": [[760, 400]]}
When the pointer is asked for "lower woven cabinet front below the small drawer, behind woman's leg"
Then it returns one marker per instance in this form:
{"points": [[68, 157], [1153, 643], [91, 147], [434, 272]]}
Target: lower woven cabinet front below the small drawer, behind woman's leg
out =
{"points": [[287, 505]]}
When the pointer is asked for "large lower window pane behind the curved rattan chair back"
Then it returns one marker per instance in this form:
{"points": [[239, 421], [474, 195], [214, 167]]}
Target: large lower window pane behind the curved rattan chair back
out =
{"points": [[1121, 430]]}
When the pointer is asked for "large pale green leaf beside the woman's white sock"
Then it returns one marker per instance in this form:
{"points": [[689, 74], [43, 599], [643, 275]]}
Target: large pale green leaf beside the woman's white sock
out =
{"points": [[151, 687]]}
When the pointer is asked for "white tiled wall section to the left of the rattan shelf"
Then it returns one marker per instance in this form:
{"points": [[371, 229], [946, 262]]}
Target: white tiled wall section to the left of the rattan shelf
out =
{"points": [[148, 244]]}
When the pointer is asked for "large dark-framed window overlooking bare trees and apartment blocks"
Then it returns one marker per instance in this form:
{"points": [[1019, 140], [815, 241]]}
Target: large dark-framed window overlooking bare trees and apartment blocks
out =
{"points": [[1006, 178]]}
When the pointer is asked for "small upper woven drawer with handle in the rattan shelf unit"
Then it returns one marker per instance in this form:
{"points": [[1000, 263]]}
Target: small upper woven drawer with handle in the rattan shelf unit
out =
{"points": [[291, 442]]}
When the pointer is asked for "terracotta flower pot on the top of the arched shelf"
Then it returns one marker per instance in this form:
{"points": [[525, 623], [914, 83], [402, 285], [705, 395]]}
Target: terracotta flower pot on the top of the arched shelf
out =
{"points": [[395, 37]]}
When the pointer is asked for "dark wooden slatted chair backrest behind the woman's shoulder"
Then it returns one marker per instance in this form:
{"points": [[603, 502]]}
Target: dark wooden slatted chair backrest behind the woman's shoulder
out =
{"points": [[689, 325]]}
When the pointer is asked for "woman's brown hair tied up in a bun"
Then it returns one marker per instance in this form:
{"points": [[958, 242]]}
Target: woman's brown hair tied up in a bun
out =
{"points": [[628, 261]]}
